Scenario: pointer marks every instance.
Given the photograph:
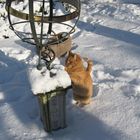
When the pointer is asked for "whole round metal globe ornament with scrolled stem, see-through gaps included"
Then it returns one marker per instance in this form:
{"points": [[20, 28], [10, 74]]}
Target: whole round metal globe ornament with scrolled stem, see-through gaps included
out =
{"points": [[43, 23]]}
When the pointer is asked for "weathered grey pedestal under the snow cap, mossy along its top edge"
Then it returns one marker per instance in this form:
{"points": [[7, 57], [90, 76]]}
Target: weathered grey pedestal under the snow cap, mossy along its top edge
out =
{"points": [[53, 109]]}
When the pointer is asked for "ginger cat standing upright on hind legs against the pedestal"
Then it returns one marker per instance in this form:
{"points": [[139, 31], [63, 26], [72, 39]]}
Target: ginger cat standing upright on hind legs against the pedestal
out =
{"points": [[80, 77]]}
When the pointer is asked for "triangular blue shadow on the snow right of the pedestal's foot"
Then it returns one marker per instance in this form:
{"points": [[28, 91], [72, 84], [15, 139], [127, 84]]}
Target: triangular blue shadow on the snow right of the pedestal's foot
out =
{"points": [[82, 125]]}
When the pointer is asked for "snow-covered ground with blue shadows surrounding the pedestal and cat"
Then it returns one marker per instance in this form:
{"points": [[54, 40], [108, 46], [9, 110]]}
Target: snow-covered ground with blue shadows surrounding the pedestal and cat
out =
{"points": [[108, 33]]}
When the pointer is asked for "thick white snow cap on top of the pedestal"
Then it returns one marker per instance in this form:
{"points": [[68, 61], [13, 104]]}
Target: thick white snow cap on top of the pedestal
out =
{"points": [[38, 79]]}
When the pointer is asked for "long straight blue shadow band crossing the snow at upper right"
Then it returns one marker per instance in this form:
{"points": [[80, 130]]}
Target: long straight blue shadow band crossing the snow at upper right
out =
{"points": [[117, 34]]}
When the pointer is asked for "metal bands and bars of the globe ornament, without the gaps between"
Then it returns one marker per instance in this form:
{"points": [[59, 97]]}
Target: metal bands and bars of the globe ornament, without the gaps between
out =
{"points": [[43, 19]]}
